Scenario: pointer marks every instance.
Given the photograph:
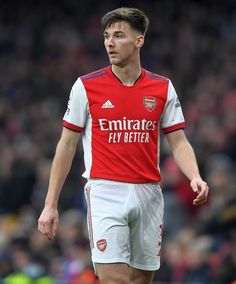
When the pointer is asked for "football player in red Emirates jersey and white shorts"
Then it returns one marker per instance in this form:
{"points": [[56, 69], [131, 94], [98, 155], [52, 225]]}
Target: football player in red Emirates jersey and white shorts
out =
{"points": [[119, 112]]}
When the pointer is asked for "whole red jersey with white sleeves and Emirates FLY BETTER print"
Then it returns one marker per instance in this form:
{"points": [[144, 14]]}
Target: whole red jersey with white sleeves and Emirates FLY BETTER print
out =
{"points": [[121, 124]]}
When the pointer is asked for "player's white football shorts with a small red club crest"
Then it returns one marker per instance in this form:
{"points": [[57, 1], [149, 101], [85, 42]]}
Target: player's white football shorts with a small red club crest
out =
{"points": [[125, 222]]}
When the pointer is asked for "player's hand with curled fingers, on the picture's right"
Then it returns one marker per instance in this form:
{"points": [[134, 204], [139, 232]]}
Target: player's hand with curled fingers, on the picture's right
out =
{"points": [[199, 186]]}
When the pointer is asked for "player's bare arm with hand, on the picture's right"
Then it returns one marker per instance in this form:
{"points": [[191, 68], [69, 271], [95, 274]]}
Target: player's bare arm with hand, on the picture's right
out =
{"points": [[185, 158]]}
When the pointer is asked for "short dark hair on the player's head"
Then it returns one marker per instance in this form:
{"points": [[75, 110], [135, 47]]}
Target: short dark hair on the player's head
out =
{"points": [[133, 16]]}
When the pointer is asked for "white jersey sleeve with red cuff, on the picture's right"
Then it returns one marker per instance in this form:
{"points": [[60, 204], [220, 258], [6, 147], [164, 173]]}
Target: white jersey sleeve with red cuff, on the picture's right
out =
{"points": [[172, 118]]}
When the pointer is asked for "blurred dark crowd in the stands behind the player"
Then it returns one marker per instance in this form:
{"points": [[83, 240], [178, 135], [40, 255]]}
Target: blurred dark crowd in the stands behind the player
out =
{"points": [[44, 47]]}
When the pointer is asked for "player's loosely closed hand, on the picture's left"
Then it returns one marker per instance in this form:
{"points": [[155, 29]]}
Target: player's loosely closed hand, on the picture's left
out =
{"points": [[48, 222]]}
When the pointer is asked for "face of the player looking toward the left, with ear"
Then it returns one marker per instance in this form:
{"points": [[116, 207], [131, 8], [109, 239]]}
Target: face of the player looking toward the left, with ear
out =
{"points": [[121, 43]]}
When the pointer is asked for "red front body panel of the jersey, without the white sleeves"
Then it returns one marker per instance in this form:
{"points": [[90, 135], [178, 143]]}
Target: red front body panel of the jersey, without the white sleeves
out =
{"points": [[128, 104]]}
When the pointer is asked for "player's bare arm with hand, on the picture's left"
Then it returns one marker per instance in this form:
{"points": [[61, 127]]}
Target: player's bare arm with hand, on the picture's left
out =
{"points": [[65, 152]]}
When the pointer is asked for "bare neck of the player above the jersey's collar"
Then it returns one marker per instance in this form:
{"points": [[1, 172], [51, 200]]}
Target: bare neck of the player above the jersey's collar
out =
{"points": [[128, 75]]}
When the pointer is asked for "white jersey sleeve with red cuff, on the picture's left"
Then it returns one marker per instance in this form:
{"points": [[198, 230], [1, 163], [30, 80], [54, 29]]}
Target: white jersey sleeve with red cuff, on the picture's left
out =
{"points": [[77, 109]]}
